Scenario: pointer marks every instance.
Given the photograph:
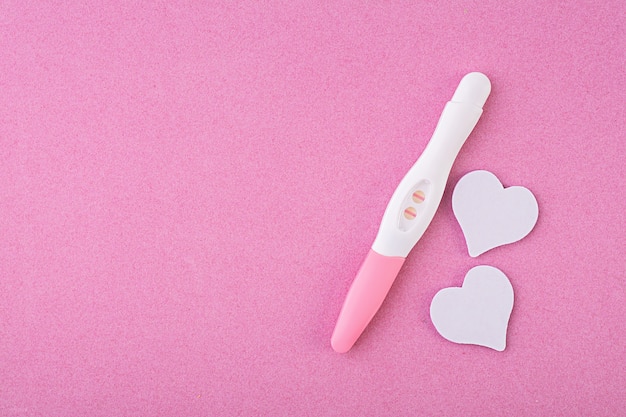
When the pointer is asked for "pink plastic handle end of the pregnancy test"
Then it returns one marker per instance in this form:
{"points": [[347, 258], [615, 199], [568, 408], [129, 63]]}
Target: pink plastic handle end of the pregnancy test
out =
{"points": [[366, 295]]}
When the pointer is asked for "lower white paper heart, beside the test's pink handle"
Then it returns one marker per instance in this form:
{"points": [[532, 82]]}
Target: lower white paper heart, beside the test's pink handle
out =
{"points": [[477, 313]]}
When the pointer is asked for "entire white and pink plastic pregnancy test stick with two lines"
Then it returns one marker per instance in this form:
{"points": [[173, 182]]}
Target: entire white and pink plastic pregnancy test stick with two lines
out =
{"points": [[410, 210]]}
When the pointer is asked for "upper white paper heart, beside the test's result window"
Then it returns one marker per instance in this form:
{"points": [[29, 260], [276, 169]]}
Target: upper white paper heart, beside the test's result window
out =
{"points": [[491, 215]]}
